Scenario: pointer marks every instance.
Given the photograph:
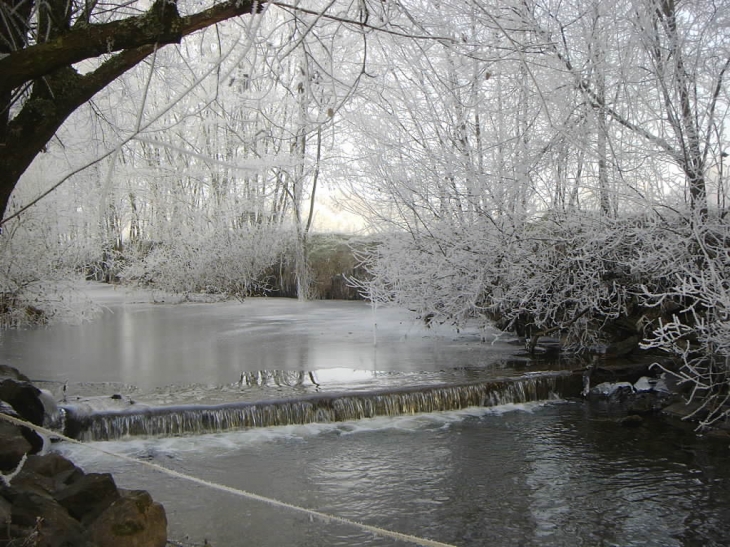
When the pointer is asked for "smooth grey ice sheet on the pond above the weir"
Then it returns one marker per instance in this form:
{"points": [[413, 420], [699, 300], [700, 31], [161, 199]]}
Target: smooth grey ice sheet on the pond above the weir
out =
{"points": [[212, 344]]}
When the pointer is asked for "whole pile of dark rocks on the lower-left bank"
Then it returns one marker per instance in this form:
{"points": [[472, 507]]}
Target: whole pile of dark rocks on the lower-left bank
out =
{"points": [[47, 501]]}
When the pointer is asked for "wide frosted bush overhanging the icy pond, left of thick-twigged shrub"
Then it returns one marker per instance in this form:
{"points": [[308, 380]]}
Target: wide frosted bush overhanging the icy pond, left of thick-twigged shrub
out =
{"points": [[557, 275]]}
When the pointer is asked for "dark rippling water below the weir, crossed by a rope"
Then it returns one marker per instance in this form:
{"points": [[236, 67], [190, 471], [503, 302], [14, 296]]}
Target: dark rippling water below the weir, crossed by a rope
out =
{"points": [[545, 475]]}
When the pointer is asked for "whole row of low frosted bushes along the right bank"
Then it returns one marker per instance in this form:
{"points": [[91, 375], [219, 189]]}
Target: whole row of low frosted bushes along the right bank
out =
{"points": [[600, 285]]}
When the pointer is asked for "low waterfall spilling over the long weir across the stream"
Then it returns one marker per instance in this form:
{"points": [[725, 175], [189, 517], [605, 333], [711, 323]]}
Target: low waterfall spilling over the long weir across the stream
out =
{"points": [[196, 419]]}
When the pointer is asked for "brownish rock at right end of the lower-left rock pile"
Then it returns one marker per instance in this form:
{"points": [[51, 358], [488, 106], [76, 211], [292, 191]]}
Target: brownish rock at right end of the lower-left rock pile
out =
{"points": [[134, 520]]}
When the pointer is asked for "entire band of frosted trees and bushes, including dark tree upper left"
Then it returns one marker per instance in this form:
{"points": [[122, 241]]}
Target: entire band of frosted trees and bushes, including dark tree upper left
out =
{"points": [[554, 167]]}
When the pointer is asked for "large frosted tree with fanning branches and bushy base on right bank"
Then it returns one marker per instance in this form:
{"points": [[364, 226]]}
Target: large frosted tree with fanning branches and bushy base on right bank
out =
{"points": [[565, 126]]}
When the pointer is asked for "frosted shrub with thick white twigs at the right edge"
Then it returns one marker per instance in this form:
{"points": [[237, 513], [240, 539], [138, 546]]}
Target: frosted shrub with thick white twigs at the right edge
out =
{"points": [[694, 323]]}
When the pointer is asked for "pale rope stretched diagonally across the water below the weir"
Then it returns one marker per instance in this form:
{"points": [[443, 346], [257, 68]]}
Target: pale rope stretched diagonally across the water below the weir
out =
{"points": [[324, 517]]}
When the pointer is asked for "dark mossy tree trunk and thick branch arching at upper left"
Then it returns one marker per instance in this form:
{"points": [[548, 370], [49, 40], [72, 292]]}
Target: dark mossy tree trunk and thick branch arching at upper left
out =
{"points": [[46, 50]]}
